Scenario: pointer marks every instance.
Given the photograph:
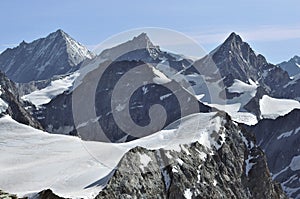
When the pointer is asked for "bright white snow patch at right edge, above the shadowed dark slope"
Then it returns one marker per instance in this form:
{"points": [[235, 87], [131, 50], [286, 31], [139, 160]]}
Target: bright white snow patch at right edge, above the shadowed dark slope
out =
{"points": [[272, 108]]}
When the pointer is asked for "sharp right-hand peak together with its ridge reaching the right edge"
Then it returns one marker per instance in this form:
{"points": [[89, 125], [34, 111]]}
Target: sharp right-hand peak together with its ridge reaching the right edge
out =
{"points": [[236, 60]]}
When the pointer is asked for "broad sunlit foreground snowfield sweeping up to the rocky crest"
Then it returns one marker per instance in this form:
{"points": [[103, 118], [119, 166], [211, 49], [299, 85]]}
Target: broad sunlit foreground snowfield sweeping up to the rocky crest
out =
{"points": [[32, 160]]}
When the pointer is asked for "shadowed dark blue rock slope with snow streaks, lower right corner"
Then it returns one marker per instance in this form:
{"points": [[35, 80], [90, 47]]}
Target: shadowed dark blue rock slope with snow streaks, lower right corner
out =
{"points": [[280, 140]]}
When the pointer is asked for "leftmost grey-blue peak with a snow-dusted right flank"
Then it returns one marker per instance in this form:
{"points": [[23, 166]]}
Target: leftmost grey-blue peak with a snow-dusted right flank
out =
{"points": [[41, 59]]}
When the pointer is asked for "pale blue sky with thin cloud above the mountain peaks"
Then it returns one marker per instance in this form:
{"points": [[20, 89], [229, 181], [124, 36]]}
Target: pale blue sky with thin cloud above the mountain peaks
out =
{"points": [[272, 27]]}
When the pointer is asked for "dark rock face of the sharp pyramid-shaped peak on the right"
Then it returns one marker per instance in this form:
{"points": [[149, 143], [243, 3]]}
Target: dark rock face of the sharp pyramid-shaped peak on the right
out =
{"points": [[236, 60]]}
